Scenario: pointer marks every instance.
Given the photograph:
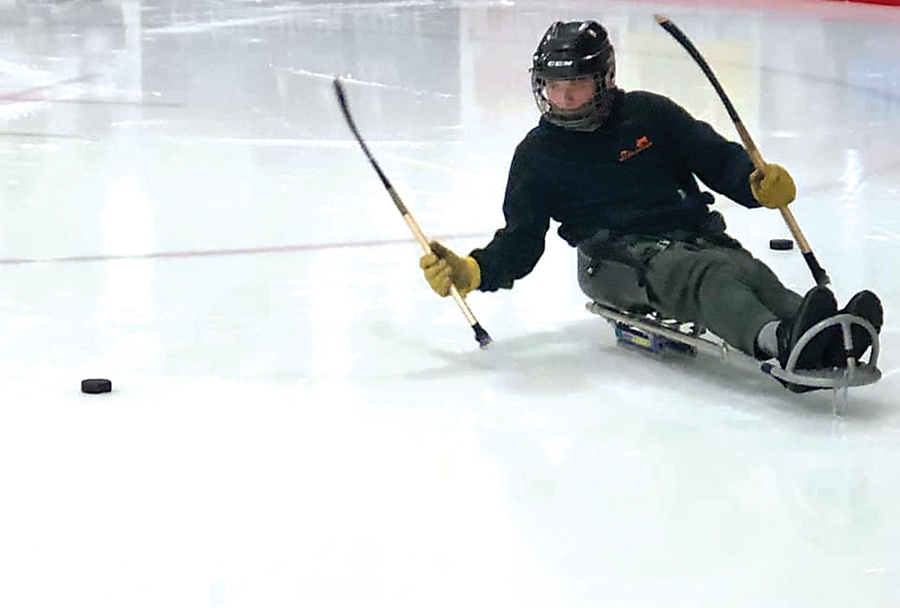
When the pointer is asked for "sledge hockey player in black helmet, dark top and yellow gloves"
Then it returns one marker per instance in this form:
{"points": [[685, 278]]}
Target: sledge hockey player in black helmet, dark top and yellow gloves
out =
{"points": [[618, 170]]}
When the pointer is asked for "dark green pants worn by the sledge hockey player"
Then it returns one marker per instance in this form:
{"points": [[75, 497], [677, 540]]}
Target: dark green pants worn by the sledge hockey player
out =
{"points": [[721, 287]]}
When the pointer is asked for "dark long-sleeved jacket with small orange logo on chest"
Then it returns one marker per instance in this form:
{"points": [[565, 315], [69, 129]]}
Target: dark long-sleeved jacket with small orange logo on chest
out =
{"points": [[635, 175]]}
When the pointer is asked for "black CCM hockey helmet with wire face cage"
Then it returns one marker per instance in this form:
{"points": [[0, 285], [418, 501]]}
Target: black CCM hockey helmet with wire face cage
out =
{"points": [[570, 50]]}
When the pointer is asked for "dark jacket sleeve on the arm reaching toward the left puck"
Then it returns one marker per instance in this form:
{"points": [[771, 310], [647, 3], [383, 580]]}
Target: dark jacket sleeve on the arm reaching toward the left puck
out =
{"points": [[517, 247]]}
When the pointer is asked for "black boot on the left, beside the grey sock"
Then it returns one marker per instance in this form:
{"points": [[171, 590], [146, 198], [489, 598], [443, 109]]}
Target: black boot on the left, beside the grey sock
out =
{"points": [[817, 305]]}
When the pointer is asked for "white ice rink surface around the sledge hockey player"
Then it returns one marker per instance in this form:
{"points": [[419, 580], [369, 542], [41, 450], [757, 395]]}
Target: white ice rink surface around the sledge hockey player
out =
{"points": [[297, 420]]}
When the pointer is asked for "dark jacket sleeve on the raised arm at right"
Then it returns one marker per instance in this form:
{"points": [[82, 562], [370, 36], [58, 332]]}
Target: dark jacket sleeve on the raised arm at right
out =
{"points": [[724, 166]]}
